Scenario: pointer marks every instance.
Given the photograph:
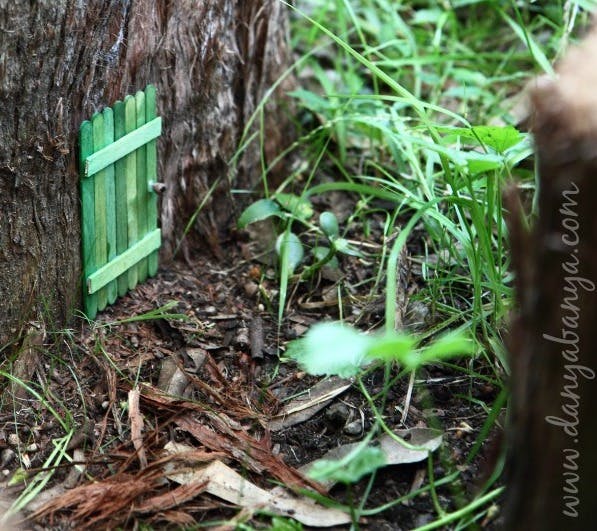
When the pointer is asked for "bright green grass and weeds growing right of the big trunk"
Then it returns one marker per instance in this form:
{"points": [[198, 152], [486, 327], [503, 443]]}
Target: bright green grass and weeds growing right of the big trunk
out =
{"points": [[412, 103]]}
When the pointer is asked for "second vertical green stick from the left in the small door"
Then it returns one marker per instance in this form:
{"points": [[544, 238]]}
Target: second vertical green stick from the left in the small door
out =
{"points": [[101, 232]]}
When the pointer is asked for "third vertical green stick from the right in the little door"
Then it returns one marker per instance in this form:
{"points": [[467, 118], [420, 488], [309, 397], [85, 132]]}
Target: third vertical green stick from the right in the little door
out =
{"points": [[130, 164]]}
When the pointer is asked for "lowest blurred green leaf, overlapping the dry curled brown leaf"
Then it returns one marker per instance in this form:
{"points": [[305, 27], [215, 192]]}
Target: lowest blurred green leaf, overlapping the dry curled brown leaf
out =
{"points": [[350, 469]]}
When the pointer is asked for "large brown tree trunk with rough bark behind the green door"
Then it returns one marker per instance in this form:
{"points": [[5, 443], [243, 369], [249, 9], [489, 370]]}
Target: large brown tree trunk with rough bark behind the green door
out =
{"points": [[62, 60]]}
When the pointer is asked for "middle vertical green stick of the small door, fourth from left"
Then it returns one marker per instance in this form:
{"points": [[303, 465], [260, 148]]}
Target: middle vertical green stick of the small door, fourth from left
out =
{"points": [[121, 209]]}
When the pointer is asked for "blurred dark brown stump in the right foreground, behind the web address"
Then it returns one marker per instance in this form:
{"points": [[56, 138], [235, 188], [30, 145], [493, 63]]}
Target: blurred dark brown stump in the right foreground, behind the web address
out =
{"points": [[553, 463]]}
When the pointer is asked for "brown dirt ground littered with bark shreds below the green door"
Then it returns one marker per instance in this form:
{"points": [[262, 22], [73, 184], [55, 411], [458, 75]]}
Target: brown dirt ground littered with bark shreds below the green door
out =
{"points": [[112, 384]]}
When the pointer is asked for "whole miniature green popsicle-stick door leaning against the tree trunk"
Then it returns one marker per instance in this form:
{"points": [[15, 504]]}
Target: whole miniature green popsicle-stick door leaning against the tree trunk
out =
{"points": [[118, 165]]}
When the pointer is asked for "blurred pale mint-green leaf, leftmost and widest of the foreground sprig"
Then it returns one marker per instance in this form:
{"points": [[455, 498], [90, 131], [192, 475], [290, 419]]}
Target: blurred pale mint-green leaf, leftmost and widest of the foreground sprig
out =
{"points": [[331, 348]]}
